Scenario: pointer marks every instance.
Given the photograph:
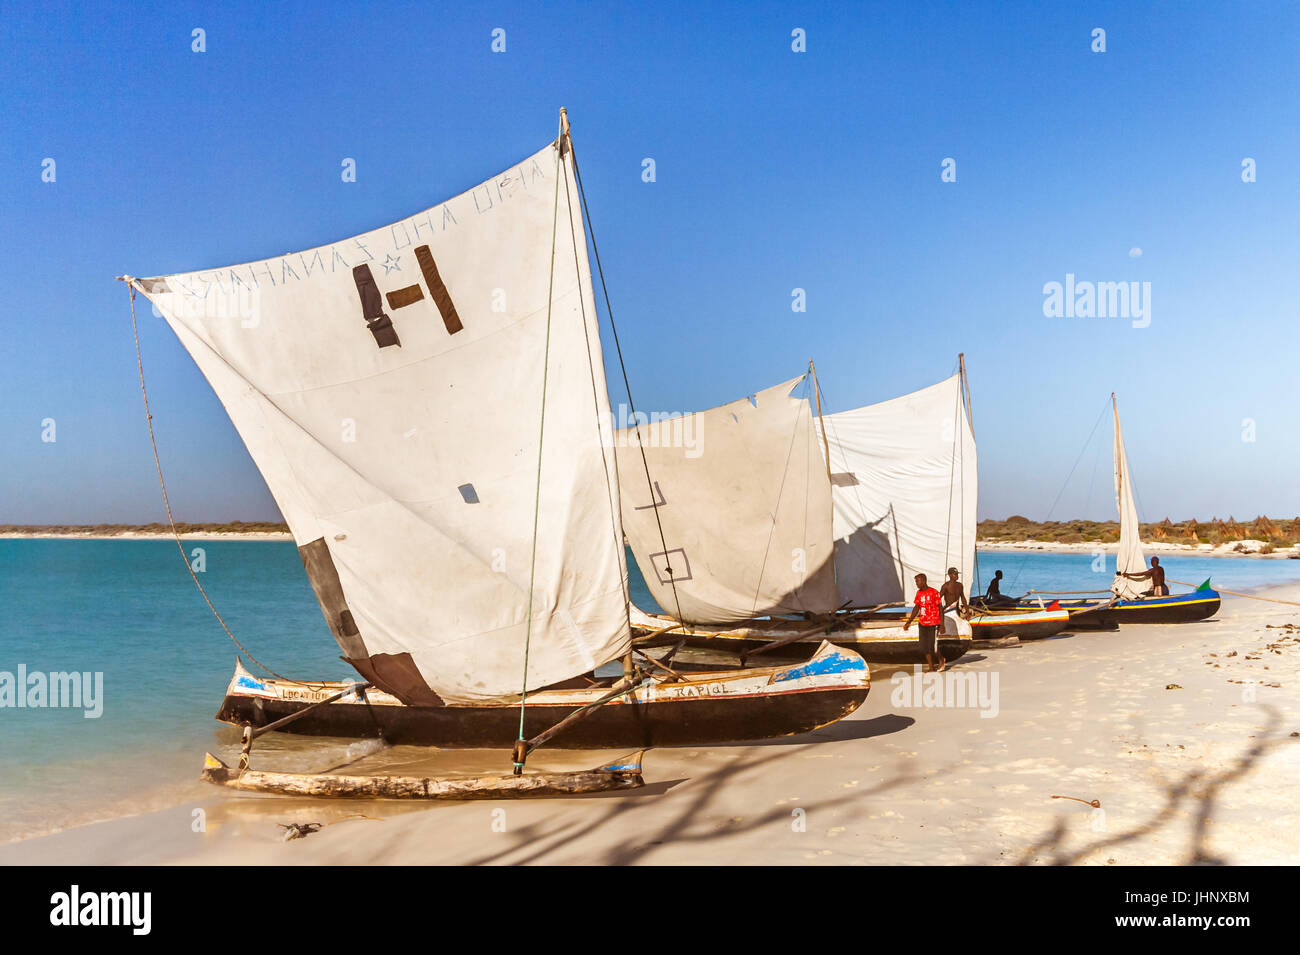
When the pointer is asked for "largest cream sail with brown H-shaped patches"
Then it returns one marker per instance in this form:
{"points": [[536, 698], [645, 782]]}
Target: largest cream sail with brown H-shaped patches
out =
{"points": [[389, 388]]}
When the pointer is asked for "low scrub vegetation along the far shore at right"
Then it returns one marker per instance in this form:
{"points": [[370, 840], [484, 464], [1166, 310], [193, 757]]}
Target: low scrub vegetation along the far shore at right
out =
{"points": [[1276, 533]]}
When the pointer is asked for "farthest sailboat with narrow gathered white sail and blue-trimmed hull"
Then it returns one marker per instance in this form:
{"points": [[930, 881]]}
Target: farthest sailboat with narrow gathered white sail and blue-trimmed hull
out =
{"points": [[1130, 601]]}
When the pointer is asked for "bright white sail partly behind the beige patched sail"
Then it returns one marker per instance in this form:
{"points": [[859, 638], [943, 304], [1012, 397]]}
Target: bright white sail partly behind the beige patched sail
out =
{"points": [[905, 487]]}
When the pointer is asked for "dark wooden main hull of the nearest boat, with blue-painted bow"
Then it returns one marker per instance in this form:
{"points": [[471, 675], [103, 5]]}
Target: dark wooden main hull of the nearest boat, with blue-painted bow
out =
{"points": [[730, 706]]}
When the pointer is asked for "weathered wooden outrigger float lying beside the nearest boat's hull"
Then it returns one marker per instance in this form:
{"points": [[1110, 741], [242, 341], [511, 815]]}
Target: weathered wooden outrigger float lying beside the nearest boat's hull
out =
{"points": [[625, 774]]}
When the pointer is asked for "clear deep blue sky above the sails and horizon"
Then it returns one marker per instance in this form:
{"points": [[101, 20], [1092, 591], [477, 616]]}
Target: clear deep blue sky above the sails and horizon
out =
{"points": [[775, 171]]}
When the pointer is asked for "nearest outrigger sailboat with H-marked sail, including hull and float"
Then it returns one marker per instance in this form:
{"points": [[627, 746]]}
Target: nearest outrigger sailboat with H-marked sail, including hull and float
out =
{"points": [[427, 403]]}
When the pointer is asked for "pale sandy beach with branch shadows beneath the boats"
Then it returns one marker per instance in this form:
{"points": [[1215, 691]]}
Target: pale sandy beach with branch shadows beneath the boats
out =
{"points": [[1189, 736]]}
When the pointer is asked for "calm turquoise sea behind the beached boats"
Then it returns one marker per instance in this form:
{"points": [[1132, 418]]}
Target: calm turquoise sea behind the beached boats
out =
{"points": [[129, 610]]}
